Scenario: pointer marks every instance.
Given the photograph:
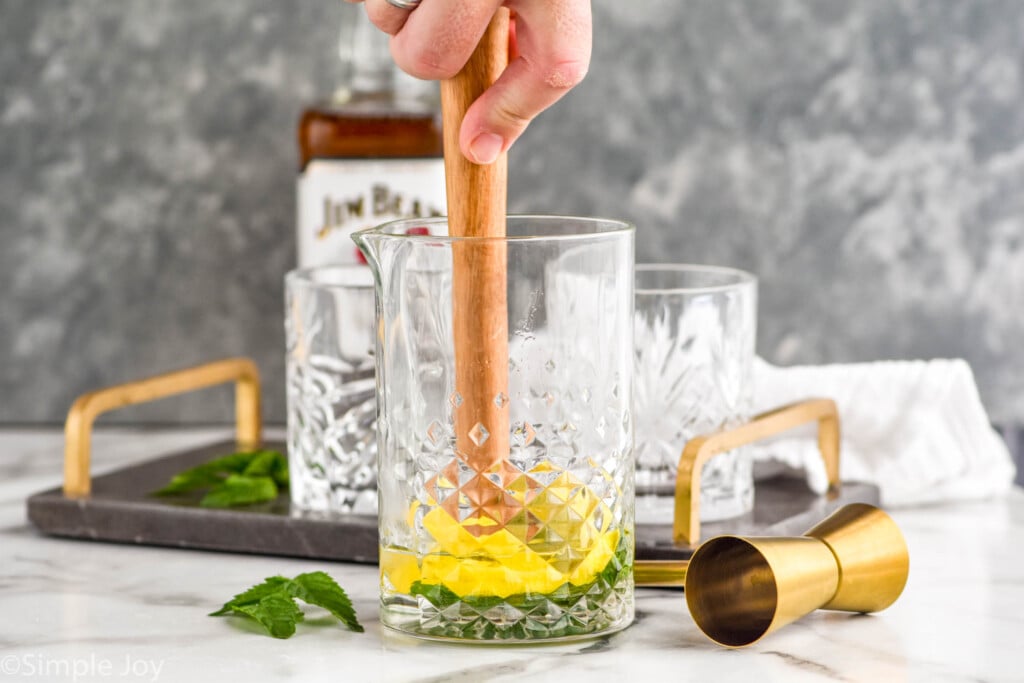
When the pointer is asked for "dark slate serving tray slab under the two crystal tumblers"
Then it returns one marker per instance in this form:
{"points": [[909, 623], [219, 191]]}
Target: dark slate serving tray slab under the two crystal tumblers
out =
{"points": [[120, 510]]}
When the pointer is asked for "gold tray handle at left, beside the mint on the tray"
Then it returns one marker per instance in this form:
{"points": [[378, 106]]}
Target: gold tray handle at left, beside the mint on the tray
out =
{"points": [[89, 407]]}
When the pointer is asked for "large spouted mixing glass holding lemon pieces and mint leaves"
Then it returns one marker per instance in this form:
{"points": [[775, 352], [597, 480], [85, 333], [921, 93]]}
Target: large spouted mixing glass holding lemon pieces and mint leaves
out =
{"points": [[539, 544]]}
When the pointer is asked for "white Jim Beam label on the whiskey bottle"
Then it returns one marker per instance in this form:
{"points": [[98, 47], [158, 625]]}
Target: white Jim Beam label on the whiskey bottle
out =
{"points": [[338, 197]]}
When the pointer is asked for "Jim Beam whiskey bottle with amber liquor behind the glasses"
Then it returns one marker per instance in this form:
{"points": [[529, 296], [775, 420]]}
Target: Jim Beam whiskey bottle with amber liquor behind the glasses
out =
{"points": [[370, 154]]}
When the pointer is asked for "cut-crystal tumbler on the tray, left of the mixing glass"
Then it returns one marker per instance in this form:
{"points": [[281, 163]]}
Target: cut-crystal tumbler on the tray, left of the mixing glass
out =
{"points": [[332, 403]]}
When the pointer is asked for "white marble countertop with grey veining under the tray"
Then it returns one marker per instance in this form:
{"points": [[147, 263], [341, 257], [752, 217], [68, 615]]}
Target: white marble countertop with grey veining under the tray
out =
{"points": [[73, 611]]}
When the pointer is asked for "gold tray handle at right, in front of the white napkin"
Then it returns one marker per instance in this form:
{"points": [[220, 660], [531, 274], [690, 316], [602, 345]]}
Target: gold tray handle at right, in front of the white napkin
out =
{"points": [[687, 526]]}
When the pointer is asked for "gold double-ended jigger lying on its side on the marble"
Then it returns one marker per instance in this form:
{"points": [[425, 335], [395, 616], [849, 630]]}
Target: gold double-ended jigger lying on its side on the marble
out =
{"points": [[741, 589]]}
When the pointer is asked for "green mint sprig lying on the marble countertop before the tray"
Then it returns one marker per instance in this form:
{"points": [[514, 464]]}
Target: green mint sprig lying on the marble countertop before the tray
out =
{"points": [[273, 603]]}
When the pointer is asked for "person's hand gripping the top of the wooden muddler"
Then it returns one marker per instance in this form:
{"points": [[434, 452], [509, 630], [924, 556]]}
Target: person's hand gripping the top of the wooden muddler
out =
{"points": [[549, 55]]}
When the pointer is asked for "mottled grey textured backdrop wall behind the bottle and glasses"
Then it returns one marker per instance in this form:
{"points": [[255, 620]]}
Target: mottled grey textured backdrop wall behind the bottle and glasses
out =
{"points": [[865, 158]]}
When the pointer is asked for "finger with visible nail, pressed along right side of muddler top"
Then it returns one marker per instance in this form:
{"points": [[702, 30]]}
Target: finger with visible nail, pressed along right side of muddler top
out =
{"points": [[553, 39]]}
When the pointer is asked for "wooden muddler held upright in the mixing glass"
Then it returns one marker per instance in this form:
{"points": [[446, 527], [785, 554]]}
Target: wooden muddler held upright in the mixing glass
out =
{"points": [[477, 204]]}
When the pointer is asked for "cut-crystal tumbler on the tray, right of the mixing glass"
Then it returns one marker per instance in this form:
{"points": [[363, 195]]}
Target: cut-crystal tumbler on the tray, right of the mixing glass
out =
{"points": [[695, 346]]}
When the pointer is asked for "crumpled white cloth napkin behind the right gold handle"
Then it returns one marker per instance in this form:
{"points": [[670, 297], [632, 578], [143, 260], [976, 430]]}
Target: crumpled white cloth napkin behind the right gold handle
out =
{"points": [[916, 429]]}
